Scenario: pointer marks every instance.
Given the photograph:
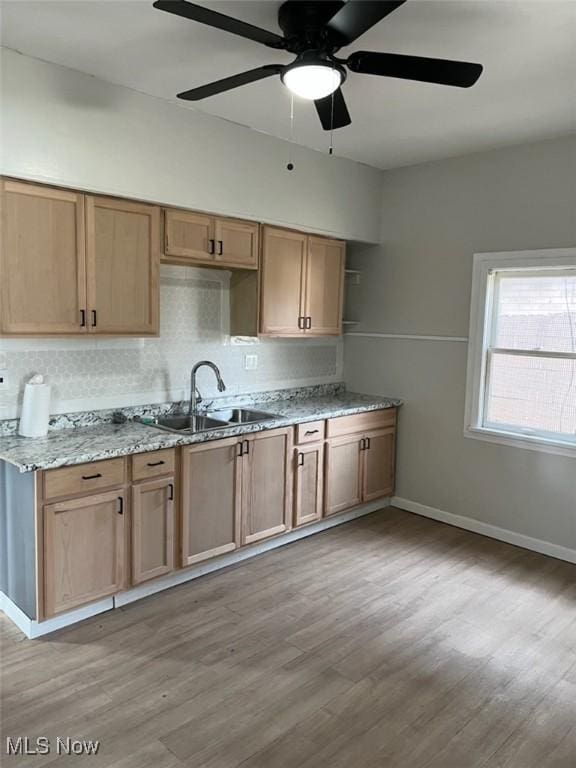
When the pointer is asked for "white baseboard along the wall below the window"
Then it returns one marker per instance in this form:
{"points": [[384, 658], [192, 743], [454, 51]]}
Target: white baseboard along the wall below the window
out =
{"points": [[485, 529]]}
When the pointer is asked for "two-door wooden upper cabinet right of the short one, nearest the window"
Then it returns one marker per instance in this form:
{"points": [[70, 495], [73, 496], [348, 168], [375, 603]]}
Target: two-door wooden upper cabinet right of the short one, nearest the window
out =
{"points": [[301, 289]]}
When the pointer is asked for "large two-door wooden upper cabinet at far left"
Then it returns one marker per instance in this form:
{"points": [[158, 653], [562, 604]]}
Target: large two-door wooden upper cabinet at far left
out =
{"points": [[75, 264]]}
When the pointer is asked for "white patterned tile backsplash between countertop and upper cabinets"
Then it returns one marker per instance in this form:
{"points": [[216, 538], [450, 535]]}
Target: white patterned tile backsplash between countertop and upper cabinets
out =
{"points": [[89, 373]]}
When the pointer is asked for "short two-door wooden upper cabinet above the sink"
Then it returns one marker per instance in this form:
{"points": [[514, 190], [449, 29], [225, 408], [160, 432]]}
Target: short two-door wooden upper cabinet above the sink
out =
{"points": [[196, 238]]}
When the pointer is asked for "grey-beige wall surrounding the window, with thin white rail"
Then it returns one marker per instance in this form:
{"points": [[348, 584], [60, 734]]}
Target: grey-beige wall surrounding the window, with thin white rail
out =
{"points": [[434, 218]]}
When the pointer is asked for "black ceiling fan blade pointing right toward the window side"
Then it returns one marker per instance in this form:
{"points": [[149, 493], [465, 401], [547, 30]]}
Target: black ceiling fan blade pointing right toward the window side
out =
{"points": [[462, 74]]}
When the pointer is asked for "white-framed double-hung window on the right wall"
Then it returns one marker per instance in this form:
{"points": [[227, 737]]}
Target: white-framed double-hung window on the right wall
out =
{"points": [[521, 386]]}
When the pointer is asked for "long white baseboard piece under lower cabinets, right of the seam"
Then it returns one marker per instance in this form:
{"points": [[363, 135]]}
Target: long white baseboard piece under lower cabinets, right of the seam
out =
{"points": [[194, 572]]}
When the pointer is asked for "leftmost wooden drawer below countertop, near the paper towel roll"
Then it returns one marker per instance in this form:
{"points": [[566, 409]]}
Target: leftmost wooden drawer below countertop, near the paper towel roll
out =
{"points": [[84, 478]]}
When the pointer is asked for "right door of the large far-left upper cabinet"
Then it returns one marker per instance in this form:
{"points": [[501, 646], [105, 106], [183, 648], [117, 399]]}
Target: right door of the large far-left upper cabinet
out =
{"points": [[123, 262]]}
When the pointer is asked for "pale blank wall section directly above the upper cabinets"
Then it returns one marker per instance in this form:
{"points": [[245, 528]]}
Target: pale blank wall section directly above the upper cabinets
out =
{"points": [[64, 127]]}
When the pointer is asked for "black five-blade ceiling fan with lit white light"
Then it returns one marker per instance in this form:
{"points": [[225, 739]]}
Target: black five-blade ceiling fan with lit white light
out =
{"points": [[315, 30]]}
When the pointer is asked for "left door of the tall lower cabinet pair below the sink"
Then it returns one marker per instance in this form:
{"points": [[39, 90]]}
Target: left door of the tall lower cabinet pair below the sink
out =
{"points": [[210, 500]]}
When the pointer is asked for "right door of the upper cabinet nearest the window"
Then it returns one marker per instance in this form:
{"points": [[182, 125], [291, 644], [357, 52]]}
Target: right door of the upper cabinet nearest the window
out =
{"points": [[324, 286]]}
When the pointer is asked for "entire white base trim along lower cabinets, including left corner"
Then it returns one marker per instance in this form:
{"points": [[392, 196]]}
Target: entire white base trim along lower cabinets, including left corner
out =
{"points": [[33, 629]]}
